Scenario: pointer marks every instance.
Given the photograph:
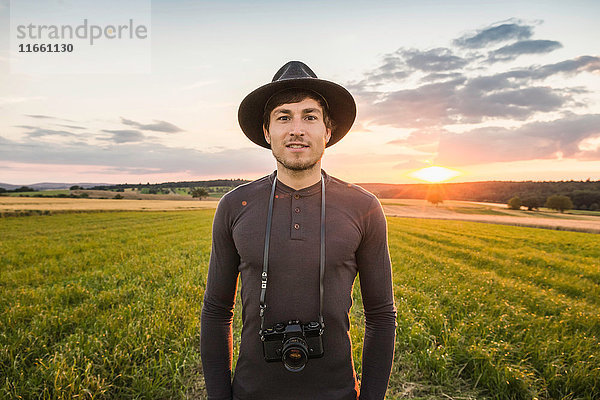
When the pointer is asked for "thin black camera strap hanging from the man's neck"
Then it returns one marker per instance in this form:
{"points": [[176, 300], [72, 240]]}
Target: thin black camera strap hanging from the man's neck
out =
{"points": [[263, 290]]}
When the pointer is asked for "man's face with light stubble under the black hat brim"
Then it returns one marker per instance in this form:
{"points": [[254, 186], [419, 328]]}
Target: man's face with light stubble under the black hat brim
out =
{"points": [[297, 134]]}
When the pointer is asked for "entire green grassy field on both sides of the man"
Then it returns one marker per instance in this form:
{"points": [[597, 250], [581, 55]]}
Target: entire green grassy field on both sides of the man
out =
{"points": [[107, 305]]}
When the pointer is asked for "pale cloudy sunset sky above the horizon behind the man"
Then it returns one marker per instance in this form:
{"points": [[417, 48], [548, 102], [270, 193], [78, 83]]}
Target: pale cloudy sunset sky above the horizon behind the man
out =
{"points": [[496, 90]]}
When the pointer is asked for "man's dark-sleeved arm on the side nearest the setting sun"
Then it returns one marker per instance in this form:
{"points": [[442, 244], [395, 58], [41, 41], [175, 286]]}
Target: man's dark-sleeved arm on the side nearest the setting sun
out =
{"points": [[375, 275]]}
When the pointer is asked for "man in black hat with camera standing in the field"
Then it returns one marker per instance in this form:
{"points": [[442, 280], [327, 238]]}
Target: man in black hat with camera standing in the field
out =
{"points": [[296, 283]]}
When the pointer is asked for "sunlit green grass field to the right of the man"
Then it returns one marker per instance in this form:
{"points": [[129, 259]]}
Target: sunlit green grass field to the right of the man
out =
{"points": [[512, 311]]}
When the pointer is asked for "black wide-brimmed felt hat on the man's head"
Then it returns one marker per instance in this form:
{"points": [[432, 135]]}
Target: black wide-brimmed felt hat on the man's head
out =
{"points": [[295, 74]]}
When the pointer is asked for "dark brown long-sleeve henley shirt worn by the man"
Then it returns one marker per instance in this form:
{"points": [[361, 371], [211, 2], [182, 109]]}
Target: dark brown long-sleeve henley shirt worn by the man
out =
{"points": [[356, 242]]}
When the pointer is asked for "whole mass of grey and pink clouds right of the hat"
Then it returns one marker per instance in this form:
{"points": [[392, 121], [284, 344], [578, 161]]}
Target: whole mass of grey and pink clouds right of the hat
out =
{"points": [[458, 86]]}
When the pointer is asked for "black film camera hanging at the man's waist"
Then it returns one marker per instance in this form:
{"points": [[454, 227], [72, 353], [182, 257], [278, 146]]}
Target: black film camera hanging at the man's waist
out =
{"points": [[293, 343]]}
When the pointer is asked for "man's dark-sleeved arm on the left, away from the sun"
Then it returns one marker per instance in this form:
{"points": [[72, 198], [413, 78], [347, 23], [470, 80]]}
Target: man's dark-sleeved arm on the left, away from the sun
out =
{"points": [[217, 312]]}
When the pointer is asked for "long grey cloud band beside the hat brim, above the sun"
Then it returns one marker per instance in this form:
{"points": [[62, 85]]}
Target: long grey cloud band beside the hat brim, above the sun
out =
{"points": [[463, 101]]}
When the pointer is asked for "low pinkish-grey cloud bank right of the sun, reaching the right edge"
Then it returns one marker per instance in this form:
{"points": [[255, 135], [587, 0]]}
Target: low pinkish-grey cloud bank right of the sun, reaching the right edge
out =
{"points": [[535, 140]]}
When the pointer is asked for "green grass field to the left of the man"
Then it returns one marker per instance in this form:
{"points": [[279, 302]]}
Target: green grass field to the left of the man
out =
{"points": [[103, 305]]}
